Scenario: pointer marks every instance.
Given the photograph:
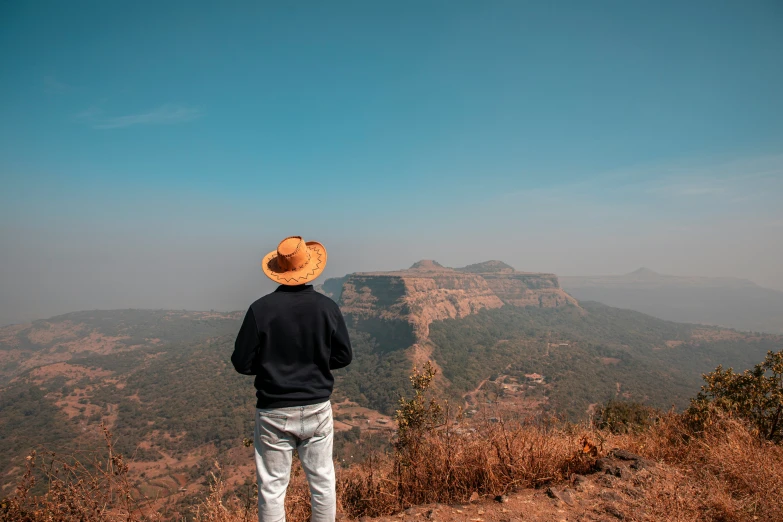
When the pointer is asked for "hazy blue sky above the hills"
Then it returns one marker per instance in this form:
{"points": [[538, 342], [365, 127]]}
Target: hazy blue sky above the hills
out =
{"points": [[152, 152]]}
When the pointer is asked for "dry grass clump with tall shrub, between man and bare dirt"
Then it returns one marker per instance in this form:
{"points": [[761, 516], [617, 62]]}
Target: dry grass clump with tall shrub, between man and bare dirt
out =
{"points": [[439, 460]]}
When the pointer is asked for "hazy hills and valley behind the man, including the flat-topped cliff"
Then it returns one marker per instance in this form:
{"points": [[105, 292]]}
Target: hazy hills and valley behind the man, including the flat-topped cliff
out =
{"points": [[161, 380]]}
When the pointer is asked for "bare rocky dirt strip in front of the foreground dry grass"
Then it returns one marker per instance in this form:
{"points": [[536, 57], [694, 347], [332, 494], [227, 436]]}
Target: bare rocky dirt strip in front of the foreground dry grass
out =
{"points": [[607, 494]]}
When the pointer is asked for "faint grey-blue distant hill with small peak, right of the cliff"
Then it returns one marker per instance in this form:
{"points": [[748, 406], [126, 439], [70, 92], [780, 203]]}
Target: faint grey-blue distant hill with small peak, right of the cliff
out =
{"points": [[723, 301]]}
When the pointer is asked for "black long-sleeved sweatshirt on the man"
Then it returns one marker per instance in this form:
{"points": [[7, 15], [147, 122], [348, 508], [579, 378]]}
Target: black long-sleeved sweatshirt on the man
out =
{"points": [[290, 340]]}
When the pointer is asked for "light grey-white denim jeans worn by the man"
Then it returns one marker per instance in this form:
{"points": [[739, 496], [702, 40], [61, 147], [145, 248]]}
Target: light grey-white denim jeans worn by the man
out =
{"points": [[309, 430]]}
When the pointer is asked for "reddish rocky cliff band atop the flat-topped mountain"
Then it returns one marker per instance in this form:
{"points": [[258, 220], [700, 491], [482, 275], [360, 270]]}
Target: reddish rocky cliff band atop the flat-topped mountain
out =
{"points": [[408, 301]]}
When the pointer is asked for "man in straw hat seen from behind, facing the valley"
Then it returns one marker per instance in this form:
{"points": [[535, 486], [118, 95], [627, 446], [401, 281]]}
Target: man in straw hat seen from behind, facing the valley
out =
{"points": [[291, 340]]}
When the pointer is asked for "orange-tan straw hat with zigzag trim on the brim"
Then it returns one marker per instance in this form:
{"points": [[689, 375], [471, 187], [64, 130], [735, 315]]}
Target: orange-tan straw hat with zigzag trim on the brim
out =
{"points": [[295, 262]]}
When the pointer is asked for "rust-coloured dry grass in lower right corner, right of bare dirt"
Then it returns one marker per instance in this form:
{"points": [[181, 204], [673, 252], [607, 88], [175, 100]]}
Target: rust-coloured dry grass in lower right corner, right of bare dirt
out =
{"points": [[725, 472]]}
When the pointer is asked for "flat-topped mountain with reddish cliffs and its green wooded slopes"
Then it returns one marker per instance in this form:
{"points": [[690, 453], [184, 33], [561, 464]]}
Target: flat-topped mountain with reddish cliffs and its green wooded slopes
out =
{"points": [[487, 325]]}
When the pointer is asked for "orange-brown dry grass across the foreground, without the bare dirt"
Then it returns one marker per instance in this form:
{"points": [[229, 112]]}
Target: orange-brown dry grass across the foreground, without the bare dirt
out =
{"points": [[722, 473]]}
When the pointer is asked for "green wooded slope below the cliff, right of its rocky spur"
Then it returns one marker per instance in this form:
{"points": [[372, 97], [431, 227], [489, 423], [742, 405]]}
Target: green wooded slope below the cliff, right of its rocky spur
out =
{"points": [[589, 358]]}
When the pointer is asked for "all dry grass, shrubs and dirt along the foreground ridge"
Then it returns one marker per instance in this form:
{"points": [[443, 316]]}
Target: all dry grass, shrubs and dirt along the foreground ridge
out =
{"points": [[709, 463]]}
